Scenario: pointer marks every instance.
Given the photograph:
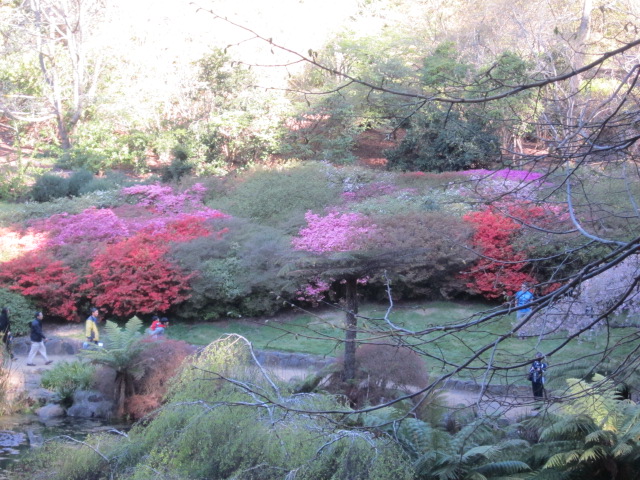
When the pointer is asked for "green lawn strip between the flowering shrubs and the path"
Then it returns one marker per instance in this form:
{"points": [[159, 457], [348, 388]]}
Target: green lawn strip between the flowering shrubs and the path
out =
{"points": [[320, 335]]}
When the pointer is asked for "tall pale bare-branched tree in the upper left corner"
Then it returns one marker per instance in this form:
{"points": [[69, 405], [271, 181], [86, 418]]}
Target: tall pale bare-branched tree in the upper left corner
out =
{"points": [[60, 34]]}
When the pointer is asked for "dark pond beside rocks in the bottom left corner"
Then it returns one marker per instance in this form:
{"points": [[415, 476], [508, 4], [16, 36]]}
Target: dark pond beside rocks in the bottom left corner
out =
{"points": [[20, 433]]}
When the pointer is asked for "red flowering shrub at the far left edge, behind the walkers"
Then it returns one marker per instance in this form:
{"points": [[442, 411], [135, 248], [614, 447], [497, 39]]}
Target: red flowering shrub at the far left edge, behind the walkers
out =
{"points": [[51, 283]]}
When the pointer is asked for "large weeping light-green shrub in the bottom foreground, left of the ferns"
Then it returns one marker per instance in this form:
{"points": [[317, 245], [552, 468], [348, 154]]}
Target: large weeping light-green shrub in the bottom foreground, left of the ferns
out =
{"points": [[186, 440]]}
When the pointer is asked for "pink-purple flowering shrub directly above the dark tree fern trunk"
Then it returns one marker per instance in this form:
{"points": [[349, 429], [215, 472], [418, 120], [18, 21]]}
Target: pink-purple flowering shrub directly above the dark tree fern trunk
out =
{"points": [[335, 232]]}
